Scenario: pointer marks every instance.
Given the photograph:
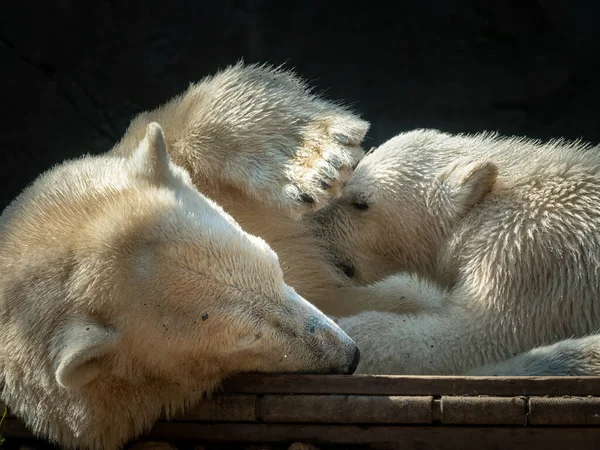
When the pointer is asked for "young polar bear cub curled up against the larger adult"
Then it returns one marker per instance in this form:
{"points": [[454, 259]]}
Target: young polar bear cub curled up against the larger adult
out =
{"points": [[508, 230]]}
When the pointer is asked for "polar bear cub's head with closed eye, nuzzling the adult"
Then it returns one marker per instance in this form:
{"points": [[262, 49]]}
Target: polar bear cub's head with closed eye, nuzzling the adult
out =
{"points": [[401, 203]]}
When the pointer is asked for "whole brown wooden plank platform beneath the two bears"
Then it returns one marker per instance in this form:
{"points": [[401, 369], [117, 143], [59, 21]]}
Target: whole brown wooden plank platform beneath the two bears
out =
{"points": [[386, 412]]}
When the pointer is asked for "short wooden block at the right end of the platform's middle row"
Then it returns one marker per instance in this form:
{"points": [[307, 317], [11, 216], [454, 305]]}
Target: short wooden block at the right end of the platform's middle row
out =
{"points": [[564, 411]]}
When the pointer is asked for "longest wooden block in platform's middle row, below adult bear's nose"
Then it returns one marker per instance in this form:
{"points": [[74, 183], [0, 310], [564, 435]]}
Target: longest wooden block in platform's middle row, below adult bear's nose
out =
{"points": [[346, 409]]}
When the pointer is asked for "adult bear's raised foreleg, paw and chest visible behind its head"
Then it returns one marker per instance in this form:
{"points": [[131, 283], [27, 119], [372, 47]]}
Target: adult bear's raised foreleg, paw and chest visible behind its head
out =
{"points": [[258, 141]]}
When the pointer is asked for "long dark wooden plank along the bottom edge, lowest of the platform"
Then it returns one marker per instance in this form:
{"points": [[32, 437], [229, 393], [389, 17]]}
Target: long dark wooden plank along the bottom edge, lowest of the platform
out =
{"points": [[405, 437]]}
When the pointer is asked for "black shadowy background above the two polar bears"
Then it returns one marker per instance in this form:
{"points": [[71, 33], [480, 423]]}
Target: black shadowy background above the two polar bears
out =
{"points": [[73, 73]]}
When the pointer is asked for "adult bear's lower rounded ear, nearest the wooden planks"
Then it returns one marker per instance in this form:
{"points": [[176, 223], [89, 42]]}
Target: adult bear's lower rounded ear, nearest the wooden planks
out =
{"points": [[79, 351]]}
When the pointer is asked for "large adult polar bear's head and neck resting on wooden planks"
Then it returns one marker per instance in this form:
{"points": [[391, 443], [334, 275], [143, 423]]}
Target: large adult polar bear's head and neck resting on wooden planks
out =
{"points": [[125, 292]]}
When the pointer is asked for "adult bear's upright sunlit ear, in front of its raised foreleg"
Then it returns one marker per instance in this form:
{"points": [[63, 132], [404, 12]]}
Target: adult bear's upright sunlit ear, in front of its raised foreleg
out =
{"points": [[151, 159]]}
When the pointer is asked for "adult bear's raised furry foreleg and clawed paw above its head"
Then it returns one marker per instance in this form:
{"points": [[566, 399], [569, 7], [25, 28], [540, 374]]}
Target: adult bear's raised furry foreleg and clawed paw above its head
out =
{"points": [[260, 130]]}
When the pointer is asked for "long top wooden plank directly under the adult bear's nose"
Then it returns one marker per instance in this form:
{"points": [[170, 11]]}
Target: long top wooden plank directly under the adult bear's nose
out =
{"points": [[412, 385]]}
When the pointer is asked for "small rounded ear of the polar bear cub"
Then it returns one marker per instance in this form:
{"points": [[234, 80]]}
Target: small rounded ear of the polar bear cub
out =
{"points": [[464, 183]]}
